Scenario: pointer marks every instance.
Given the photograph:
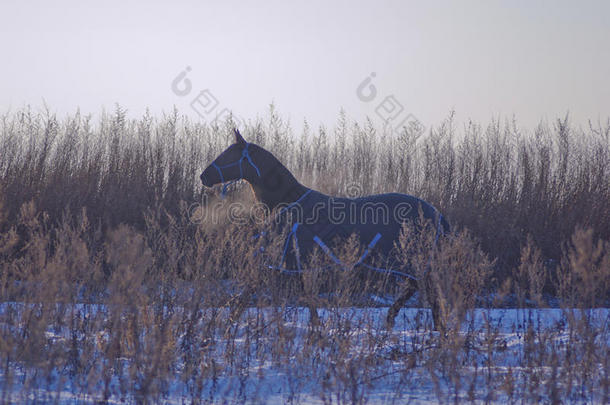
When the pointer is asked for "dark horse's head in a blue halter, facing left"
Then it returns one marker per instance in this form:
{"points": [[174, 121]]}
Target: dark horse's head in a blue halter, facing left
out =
{"points": [[233, 164]]}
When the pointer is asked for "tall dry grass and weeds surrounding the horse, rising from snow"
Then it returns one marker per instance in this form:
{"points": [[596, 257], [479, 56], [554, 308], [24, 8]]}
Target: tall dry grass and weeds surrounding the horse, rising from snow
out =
{"points": [[110, 288]]}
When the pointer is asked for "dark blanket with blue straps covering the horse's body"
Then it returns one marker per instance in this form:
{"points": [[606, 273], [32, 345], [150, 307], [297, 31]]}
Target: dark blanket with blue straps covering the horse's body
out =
{"points": [[319, 220]]}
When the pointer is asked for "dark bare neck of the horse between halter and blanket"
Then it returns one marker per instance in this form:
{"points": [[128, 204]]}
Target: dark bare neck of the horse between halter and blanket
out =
{"points": [[277, 186]]}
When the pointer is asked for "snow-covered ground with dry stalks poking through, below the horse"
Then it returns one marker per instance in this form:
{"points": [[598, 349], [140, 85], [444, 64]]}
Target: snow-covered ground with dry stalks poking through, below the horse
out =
{"points": [[275, 356]]}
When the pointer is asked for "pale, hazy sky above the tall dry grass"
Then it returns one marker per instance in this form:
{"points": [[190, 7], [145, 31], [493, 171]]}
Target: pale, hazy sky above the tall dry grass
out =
{"points": [[535, 60]]}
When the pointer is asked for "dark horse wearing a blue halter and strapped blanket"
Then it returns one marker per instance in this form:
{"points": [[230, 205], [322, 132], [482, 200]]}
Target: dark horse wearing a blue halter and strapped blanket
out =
{"points": [[317, 219]]}
